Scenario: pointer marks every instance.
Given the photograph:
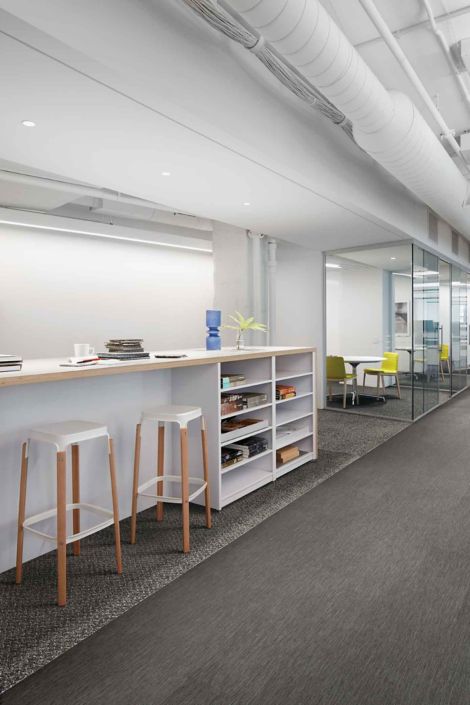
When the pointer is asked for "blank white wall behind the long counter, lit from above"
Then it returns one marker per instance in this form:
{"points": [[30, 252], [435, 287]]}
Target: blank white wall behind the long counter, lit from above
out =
{"points": [[56, 290]]}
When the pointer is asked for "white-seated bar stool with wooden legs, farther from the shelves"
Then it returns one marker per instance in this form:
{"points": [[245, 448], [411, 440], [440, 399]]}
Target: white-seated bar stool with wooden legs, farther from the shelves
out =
{"points": [[62, 435]]}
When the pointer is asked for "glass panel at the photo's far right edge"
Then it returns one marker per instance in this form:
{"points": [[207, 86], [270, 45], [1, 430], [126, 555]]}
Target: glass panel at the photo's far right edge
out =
{"points": [[458, 353]]}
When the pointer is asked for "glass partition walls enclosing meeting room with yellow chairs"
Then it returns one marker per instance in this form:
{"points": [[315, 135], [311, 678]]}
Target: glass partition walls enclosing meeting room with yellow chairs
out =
{"points": [[397, 315]]}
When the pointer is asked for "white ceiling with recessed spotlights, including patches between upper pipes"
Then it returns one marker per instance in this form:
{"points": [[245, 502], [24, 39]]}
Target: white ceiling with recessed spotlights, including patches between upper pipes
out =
{"points": [[120, 96]]}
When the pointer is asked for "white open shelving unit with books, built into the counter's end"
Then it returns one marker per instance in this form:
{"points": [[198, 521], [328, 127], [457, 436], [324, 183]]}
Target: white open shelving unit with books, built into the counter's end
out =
{"points": [[297, 415]]}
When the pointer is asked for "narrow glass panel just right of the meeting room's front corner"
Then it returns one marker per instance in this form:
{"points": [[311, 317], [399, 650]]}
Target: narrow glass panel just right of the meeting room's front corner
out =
{"points": [[425, 356]]}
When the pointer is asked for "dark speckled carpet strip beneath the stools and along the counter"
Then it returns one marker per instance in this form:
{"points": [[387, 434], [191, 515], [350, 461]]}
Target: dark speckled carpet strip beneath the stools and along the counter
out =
{"points": [[34, 631]]}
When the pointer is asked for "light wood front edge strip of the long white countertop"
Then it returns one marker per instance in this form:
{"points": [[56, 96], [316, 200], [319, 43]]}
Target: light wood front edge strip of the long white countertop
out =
{"points": [[41, 377]]}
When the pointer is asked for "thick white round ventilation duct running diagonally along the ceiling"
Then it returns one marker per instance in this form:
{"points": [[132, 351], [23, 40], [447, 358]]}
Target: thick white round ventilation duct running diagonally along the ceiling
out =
{"points": [[386, 124]]}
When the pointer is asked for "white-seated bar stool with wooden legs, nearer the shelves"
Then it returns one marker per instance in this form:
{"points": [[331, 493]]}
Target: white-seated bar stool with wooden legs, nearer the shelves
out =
{"points": [[181, 415]]}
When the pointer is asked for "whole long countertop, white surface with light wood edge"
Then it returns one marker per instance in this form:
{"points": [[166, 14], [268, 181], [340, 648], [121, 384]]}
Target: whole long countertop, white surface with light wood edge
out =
{"points": [[49, 369]]}
